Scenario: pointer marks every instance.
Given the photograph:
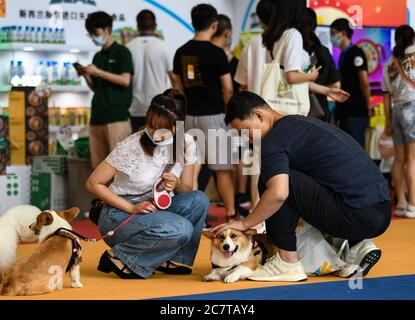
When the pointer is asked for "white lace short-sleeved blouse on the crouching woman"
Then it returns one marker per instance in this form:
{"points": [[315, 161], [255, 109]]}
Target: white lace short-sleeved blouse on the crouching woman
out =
{"points": [[138, 171]]}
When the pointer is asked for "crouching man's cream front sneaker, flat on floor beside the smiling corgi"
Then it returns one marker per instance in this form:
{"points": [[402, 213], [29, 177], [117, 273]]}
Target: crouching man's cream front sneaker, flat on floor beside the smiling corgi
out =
{"points": [[278, 270]]}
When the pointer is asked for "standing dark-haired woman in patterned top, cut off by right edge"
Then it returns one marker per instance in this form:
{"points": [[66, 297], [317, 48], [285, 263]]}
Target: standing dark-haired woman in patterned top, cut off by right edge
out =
{"points": [[399, 87]]}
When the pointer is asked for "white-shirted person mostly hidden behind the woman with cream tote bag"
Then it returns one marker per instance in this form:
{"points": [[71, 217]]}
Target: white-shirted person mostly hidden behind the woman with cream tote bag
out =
{"points": [[249, 72]]}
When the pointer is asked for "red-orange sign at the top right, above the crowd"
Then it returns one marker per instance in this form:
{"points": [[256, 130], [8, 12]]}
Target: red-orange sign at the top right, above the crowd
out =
{"points": [[362, 13]]}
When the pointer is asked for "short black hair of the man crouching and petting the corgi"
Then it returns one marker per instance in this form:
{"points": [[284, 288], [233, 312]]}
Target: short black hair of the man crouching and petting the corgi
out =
{"points": [[242, 104]]}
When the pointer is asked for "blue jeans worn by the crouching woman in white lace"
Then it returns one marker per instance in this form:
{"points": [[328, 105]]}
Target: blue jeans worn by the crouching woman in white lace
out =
{"points": [[150, 239]]}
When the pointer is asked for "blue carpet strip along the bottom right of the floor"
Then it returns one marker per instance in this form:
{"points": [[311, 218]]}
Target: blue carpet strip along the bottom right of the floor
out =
{"points": [[385, 288]]}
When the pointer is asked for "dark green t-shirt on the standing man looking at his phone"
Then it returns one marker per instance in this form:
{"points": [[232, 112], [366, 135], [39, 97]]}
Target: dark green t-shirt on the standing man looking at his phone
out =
{"points": [[111, 102]]}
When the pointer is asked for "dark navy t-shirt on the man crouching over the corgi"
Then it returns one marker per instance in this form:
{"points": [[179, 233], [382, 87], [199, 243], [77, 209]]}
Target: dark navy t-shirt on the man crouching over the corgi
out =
{"points": [[326, 154]]}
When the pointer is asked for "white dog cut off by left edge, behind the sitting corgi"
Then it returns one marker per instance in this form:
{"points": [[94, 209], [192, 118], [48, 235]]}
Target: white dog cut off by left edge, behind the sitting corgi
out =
{"points": [[14, 228]]}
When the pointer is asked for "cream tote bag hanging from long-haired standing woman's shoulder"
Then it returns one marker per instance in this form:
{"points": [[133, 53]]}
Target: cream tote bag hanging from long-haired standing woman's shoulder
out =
{"points": [[285, 98]]}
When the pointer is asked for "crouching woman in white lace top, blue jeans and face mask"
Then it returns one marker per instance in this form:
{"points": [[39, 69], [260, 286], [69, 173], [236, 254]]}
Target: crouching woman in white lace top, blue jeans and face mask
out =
{"points": [[154, 239]]}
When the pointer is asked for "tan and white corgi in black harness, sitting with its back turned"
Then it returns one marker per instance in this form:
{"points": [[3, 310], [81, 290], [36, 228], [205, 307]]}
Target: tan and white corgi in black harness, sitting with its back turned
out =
{"points": [[58, 252]]}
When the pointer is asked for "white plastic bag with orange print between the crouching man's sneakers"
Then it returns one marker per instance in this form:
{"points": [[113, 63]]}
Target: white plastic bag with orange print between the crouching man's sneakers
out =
{"points": [[317, 255]]}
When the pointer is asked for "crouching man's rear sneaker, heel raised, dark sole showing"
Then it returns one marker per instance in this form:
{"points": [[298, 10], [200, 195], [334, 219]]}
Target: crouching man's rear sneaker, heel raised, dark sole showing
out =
{"points": [[360, 259]]}
